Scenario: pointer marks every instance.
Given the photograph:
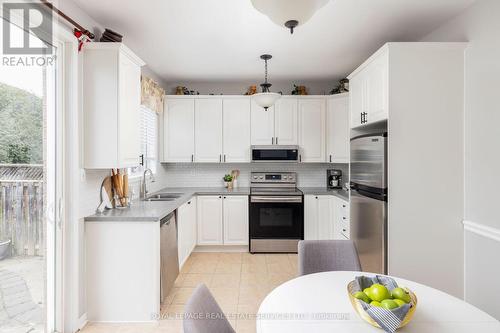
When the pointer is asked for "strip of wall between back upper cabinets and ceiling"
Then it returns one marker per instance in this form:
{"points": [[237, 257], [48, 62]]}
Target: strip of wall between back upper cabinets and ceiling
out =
{"points": [[239, 87]]}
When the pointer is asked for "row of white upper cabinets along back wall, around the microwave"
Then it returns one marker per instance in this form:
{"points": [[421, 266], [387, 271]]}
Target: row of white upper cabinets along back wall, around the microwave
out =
{"points": [[221, 129]]}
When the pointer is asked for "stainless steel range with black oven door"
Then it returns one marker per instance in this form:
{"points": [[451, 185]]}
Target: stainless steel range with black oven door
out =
{"points": [[276, 212]]}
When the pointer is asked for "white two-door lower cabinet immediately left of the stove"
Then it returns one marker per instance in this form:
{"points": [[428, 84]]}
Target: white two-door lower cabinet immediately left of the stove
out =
{"points": [[222, 220]]}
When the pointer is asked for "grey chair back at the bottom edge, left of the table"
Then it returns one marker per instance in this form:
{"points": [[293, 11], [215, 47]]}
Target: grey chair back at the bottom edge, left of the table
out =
{"points": [[204, 315]]}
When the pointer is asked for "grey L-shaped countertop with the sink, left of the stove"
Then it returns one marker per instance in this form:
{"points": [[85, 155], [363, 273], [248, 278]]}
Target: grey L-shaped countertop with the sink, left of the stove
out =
{"points": [[152, 211]]}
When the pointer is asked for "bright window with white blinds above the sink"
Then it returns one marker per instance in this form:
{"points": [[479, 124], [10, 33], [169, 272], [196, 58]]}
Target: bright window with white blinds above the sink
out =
{"points": [[148, 134]]}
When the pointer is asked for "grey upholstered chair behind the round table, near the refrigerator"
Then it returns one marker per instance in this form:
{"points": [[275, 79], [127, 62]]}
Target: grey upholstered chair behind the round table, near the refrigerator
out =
{"points": [[327, 255]]}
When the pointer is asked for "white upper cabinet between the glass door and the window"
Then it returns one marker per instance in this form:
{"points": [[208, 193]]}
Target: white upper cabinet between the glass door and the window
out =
{"points": [[112, 97]]}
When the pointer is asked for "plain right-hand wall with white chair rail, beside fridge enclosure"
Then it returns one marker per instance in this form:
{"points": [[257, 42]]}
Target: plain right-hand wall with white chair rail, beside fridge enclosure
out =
{"points": [[480, 26]]}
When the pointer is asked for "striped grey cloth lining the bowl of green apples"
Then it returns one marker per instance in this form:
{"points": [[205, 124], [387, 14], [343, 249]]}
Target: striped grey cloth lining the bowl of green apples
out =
{"points": [[389, 320]]}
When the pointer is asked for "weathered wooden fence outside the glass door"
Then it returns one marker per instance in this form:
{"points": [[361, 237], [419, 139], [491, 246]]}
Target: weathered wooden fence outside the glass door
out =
{"points": [[22, 217]]}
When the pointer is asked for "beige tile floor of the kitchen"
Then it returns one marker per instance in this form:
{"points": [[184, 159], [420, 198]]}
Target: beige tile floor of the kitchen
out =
{"points": [[238, 281]]}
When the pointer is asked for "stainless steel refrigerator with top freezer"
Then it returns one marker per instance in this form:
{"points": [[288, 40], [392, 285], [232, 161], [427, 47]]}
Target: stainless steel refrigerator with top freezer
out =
{"points": [[369, 200]]}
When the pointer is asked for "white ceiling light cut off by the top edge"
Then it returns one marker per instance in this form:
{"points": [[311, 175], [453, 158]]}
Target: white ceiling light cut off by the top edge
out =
{"points": [[289, 13]]}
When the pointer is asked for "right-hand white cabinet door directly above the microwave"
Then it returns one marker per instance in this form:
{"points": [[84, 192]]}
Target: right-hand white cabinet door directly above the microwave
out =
{"points": [[286, 121]]}
